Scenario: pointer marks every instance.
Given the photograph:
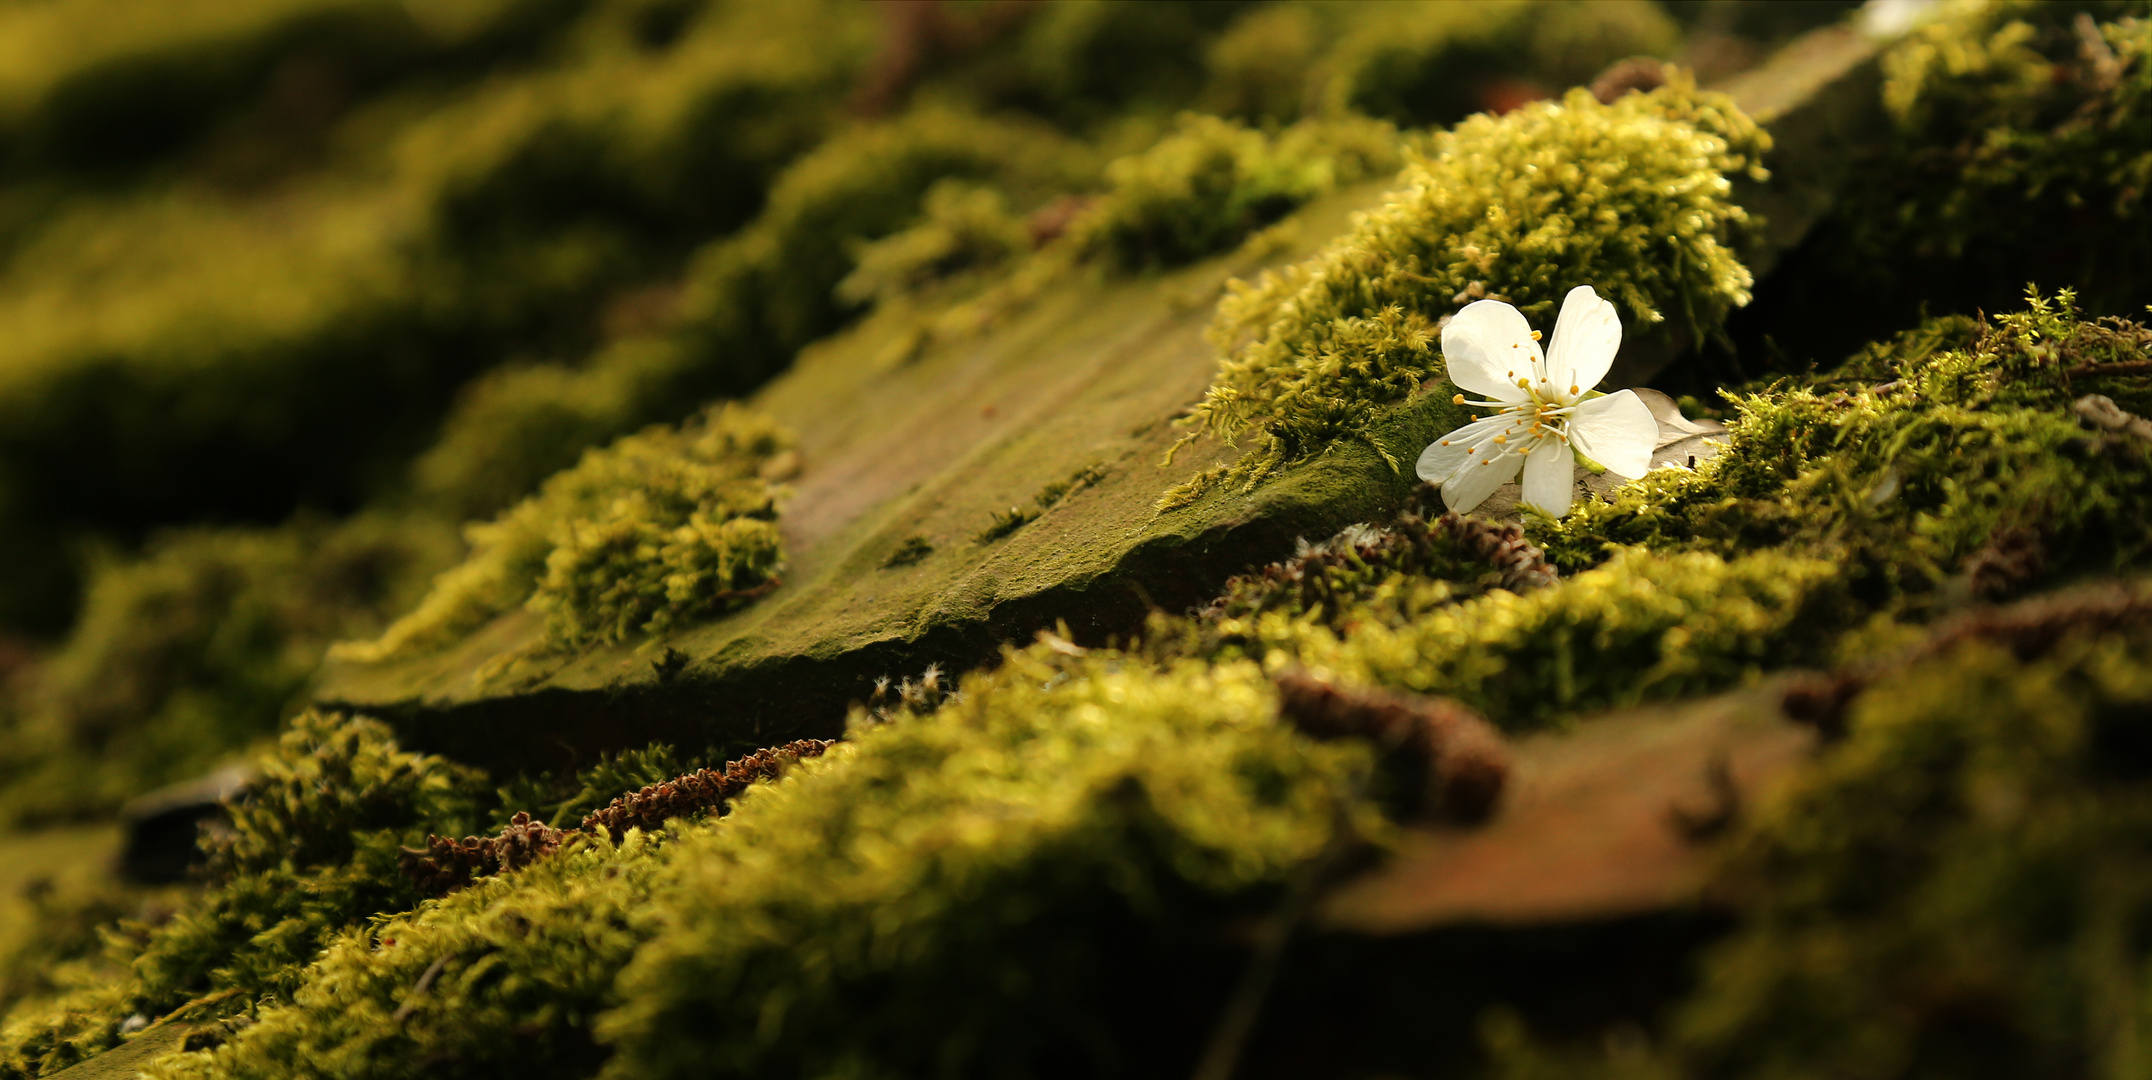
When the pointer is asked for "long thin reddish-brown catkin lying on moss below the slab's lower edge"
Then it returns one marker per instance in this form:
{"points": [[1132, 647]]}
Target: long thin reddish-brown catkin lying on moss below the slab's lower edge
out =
{"points": [[447, 866]]}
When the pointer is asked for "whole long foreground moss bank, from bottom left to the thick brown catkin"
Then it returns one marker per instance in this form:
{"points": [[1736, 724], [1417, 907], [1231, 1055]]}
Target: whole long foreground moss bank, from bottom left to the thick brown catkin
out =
{"points": [[1068, 834]]}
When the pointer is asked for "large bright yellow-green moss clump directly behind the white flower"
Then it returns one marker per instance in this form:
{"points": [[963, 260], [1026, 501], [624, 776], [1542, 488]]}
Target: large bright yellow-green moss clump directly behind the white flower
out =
{"points": [[1630, 199]]}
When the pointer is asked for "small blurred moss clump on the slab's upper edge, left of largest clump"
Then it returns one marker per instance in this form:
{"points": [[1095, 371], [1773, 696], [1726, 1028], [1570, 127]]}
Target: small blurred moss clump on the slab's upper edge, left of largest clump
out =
{"points": [[1213, 182]]}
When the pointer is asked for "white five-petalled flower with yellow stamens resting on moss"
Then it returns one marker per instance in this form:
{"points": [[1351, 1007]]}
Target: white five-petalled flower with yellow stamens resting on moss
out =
{"points": [[1544, 406]]}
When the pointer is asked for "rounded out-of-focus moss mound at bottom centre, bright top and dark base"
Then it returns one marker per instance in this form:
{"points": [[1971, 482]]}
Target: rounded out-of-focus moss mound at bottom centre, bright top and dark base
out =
{"points": [[1049, 838]]}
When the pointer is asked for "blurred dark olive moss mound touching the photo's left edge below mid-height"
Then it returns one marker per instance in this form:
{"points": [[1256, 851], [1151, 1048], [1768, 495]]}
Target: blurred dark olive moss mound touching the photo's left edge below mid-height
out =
{"points": [[197, 651]]}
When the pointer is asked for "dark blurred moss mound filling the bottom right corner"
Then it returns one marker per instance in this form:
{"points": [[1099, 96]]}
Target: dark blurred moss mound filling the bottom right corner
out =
{"points": [[1968, 849]]}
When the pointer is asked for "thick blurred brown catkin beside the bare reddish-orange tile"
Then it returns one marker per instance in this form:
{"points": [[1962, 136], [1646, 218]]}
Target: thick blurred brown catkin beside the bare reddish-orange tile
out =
{"points": [[1460, 761]]}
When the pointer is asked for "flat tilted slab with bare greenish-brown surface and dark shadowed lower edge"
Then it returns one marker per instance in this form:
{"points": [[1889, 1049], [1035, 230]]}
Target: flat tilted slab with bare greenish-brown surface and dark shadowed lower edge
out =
{"points": [[905, 442]]}
